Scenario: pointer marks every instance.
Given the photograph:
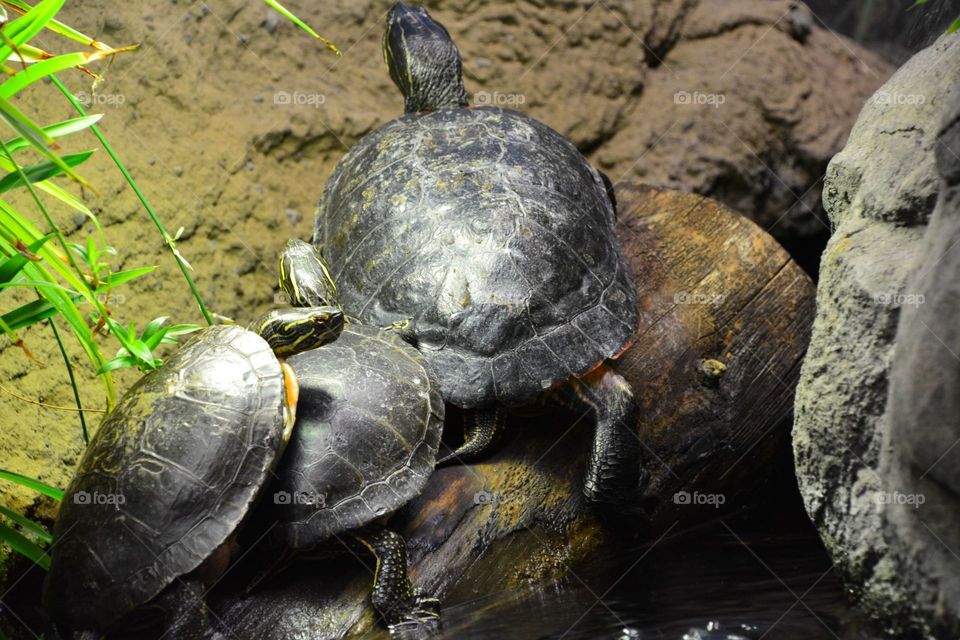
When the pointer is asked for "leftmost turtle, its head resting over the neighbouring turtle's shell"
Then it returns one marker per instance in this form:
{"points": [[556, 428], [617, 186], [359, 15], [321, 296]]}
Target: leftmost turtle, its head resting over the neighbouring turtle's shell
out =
{"points": [[150, 517]]}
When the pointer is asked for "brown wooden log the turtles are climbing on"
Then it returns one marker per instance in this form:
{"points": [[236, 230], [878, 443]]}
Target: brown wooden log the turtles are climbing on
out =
{"points": [[726, 319]]}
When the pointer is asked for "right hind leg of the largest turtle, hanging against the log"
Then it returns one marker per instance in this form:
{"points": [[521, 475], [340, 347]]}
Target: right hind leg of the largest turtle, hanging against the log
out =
{"points": [[613, 468]]}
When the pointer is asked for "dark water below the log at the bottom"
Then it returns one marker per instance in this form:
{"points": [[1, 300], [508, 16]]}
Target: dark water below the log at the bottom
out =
{"points": [[749, 585]]}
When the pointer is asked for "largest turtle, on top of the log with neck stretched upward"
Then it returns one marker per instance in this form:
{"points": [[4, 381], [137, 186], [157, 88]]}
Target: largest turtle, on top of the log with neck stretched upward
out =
{"points": [[492, 239]]}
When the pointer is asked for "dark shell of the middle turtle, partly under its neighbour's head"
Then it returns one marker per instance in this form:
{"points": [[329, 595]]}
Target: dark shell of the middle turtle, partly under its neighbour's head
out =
{"points": [[368, 426]]}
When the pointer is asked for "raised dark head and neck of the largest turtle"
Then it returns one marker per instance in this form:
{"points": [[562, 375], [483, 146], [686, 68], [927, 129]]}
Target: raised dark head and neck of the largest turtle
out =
{"points": [[423, 60]]}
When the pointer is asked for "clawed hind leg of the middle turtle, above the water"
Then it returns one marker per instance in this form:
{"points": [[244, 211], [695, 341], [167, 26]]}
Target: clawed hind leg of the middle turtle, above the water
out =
{"points": [[393, 595]]}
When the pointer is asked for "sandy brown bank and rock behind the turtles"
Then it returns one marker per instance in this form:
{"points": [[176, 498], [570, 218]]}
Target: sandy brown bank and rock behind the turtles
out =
{"points": [[231, 119]]}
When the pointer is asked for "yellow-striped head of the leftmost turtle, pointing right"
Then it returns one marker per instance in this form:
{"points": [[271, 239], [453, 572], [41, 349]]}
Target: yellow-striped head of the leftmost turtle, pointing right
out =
{"points": [[291, 331]]}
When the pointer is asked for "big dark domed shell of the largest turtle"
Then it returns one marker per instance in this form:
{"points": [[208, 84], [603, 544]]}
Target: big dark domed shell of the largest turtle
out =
{"points": [[495, 236]]}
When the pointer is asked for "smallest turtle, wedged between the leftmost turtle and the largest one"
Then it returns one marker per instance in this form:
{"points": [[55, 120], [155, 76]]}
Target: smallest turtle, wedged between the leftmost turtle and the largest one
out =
{"points": [[365, 442]]}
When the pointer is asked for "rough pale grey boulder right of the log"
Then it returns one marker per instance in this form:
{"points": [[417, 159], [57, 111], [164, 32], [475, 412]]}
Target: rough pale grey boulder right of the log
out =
{"points": [[879, 192]]}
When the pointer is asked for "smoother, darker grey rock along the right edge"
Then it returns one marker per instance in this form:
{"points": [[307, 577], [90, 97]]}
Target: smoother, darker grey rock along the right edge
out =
{"points": [[920, 460]]}
